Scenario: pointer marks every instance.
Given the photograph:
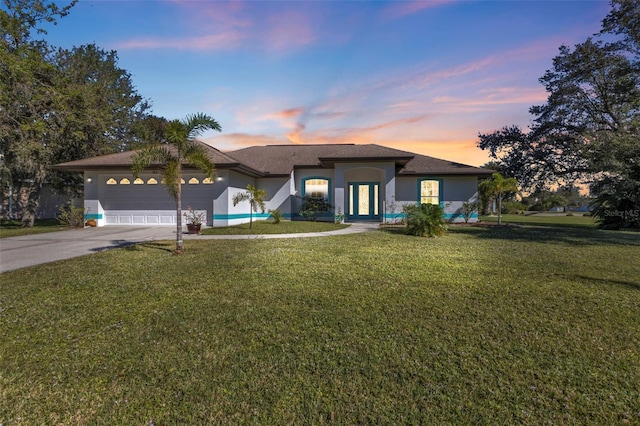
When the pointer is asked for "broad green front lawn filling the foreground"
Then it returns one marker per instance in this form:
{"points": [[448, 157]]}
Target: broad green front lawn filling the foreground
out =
{"points": [[531, 325]]}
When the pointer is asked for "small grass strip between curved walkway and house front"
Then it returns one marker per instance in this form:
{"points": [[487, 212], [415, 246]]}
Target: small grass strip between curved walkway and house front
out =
{"points": [[268, 227]]}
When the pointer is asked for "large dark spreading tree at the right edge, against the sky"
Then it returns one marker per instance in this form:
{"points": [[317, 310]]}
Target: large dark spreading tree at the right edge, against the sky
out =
{"points": [[588, 130]]}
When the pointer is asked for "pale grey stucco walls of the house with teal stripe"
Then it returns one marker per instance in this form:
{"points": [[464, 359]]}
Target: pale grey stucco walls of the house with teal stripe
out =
{"points": [[151, 204]]}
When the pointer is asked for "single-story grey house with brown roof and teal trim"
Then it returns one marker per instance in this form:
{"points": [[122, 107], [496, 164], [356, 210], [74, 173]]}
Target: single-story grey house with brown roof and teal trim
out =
{"points": [[363, 182]]}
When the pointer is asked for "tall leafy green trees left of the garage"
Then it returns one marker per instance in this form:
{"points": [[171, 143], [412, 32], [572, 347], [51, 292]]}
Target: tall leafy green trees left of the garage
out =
{"points": [[59, 105]]}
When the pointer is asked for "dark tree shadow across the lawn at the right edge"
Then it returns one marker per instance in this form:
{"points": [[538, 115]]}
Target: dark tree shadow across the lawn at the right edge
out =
{"points": [[552, 234]]}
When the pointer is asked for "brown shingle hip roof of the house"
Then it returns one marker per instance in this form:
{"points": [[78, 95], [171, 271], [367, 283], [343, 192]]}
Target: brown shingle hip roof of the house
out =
{"points": [[282, 159]]}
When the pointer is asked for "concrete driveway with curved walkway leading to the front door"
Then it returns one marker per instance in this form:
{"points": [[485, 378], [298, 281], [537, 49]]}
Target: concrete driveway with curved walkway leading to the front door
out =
{"points": [[29, 250]]}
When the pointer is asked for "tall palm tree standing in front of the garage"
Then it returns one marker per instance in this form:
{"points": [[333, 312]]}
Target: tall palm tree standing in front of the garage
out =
{"points": [[180, 148]]}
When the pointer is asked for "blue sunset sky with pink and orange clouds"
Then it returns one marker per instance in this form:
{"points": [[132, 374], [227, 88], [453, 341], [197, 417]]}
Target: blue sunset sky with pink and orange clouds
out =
{"points": [[423, 76]]}
